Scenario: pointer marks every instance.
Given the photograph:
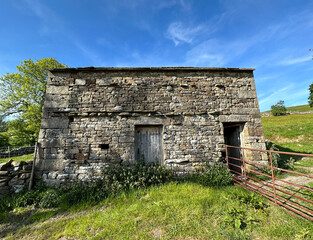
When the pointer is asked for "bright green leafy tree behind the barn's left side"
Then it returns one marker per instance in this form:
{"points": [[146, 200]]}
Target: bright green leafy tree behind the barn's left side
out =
{"points": [[22, 96]]}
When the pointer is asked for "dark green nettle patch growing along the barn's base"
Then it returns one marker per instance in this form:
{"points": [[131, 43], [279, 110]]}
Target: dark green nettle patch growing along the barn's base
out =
{"points": [[116, 179]]}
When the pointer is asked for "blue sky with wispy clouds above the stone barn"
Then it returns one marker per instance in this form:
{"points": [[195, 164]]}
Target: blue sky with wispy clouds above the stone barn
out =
{"points": [[272, 36]]}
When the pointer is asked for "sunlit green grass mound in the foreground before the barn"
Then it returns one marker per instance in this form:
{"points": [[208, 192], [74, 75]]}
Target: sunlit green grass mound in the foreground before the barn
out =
{"points": [[172, 211]]}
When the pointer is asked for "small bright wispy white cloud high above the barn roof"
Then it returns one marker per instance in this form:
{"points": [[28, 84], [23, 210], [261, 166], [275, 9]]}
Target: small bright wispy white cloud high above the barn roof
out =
{"points": [[180, 33]]}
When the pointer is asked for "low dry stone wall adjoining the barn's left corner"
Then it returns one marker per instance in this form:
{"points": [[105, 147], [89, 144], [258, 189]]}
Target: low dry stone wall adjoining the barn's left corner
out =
{"points": [[14, 176]]}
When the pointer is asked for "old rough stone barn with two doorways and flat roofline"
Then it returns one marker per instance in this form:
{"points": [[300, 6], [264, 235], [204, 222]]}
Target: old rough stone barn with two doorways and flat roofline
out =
{"points": [[177, 116]]}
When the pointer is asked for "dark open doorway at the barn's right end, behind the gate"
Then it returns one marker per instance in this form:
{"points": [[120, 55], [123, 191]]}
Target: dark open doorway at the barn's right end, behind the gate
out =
{"points": [[232, 132]]}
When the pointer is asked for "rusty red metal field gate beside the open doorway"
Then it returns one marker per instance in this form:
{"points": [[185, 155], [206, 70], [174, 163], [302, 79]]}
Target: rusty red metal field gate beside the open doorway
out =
{"points": [[282, 186]]}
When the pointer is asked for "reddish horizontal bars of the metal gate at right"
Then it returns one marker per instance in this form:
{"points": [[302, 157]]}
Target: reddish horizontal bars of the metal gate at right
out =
{"points": [[300, 205]]}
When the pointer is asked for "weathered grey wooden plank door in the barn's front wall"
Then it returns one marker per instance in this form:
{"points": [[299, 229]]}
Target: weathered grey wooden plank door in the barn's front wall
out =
{"points": [[148, 144]]}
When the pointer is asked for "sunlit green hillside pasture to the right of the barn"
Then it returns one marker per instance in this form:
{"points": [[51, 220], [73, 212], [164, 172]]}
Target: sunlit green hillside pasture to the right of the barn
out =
{"points": [[290, 132]]}
